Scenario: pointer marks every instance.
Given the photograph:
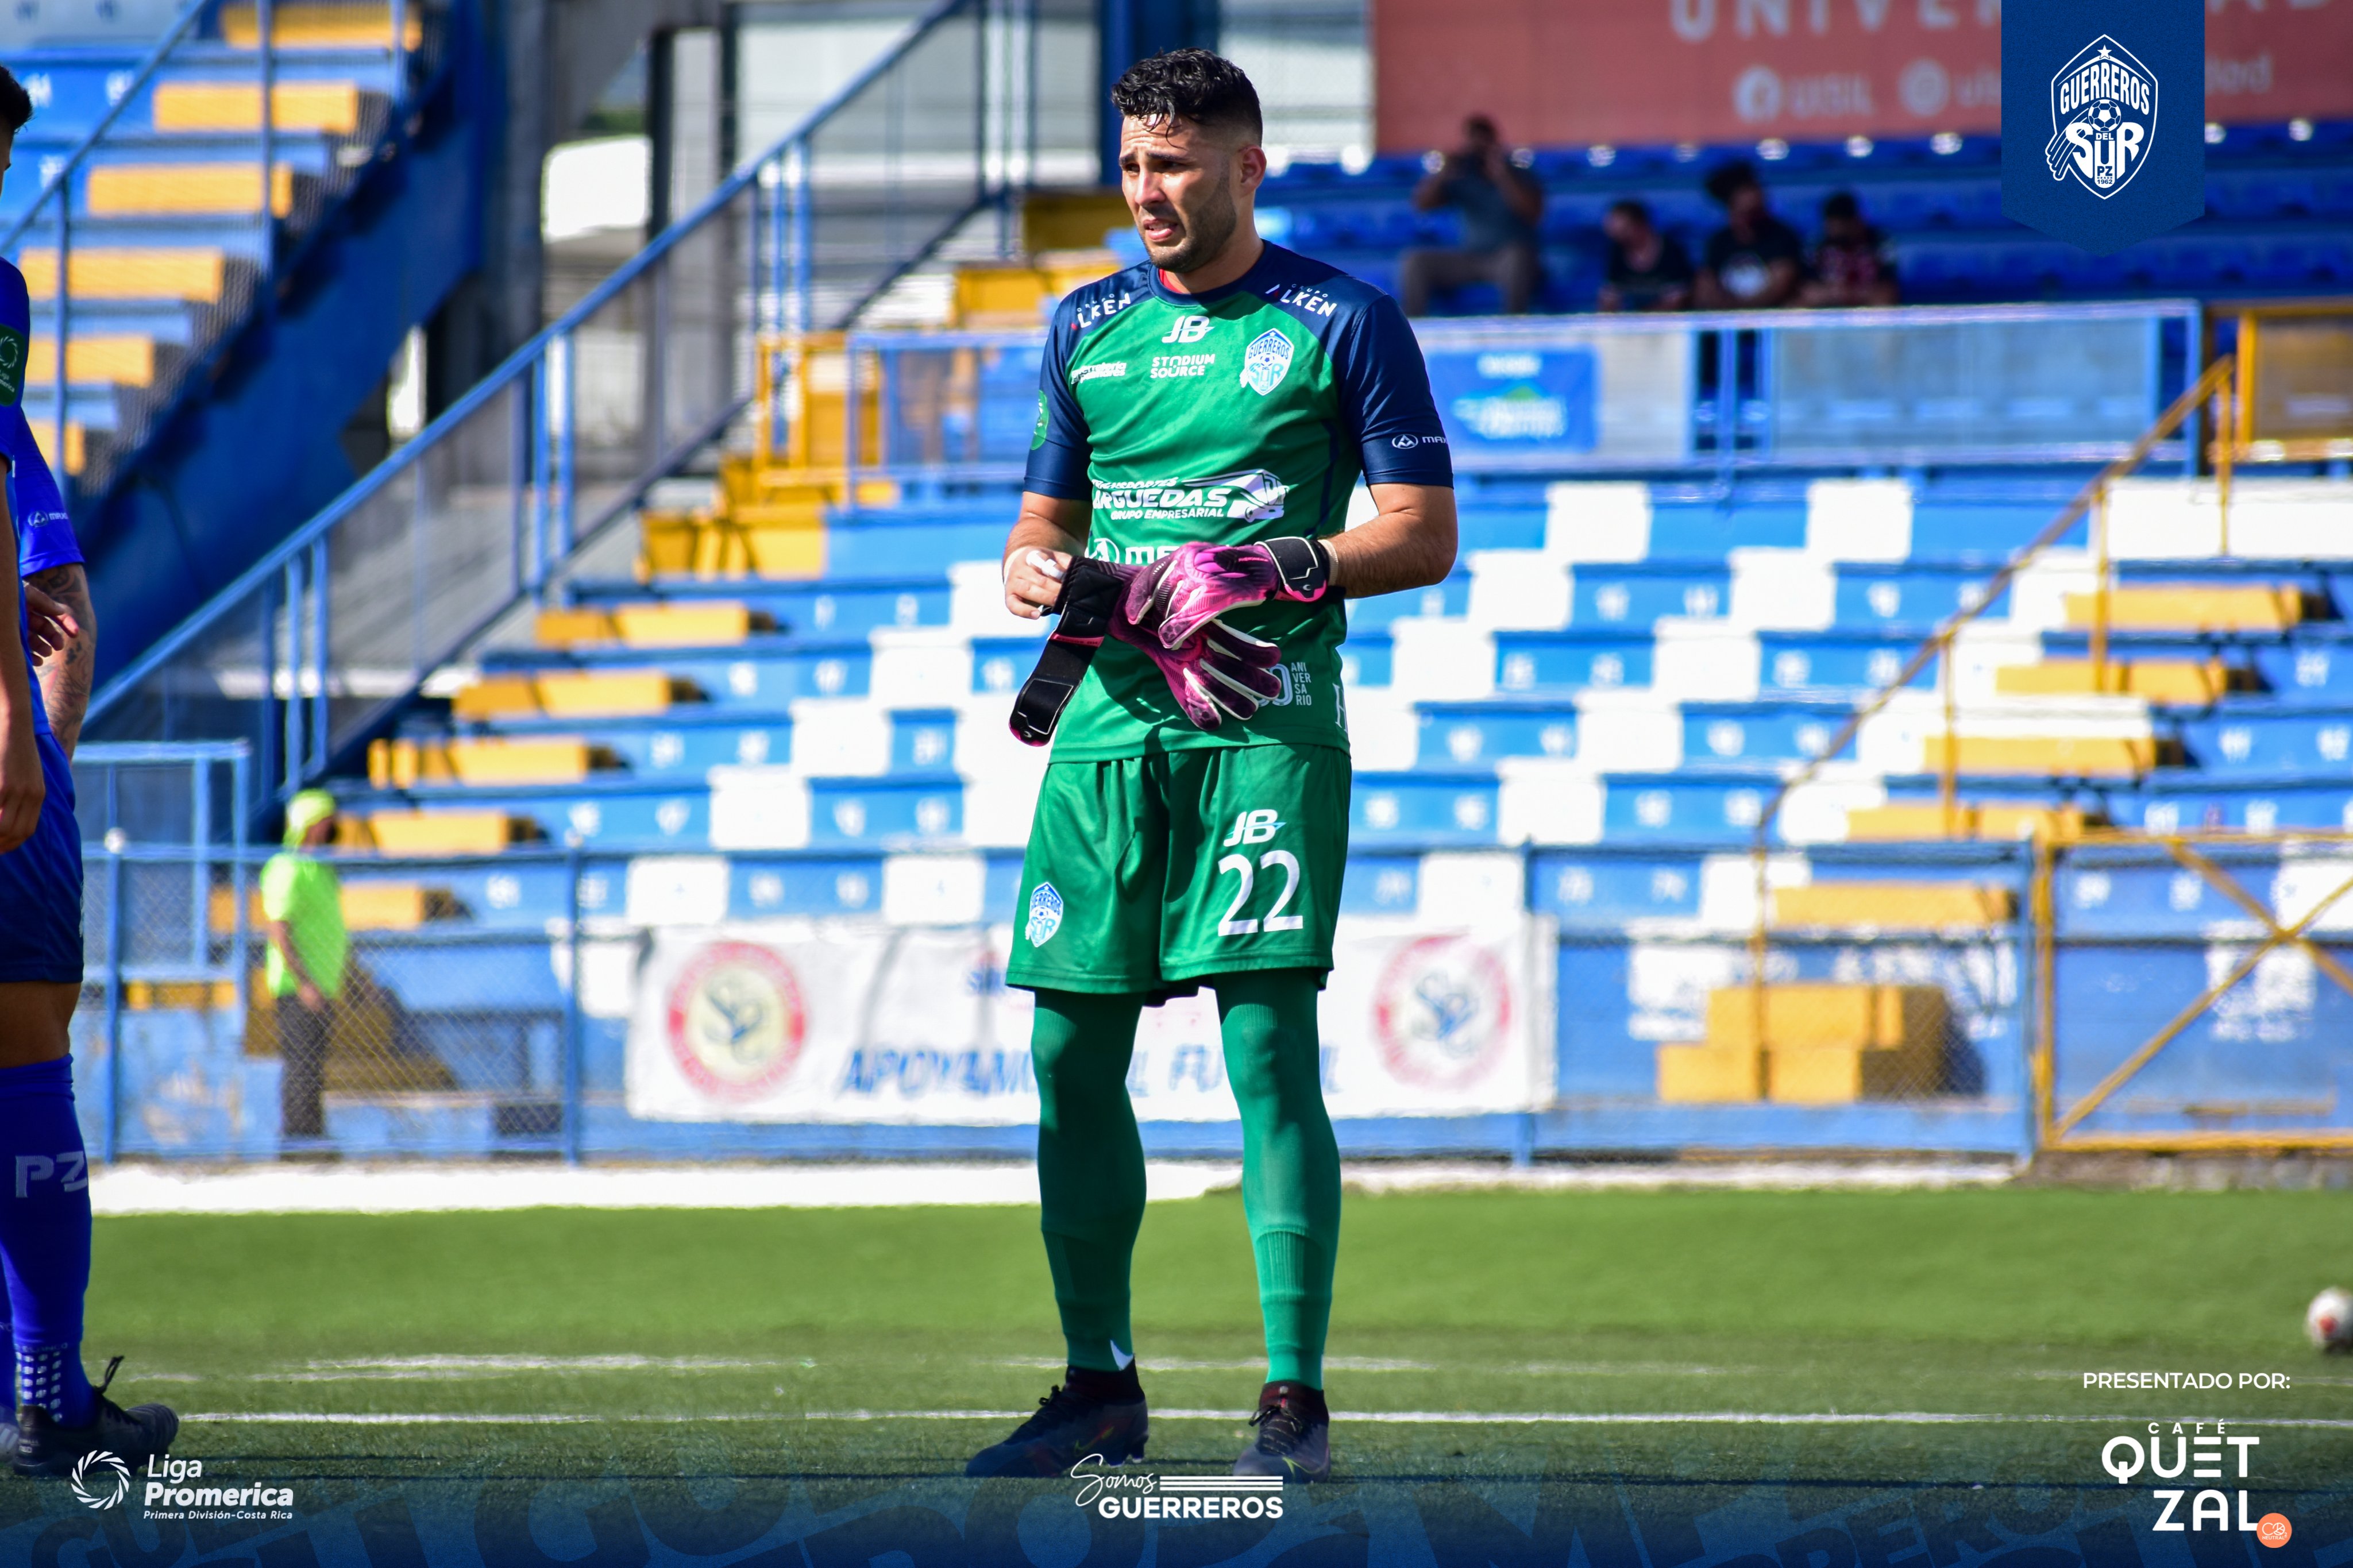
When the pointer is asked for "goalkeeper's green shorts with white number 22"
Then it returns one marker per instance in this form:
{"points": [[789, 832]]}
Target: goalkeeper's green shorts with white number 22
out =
{"points": [[1152, 873]]}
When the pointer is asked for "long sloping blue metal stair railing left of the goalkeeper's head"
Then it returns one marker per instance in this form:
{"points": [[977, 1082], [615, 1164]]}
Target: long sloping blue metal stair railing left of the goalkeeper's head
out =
{"points": [[476, 516]]}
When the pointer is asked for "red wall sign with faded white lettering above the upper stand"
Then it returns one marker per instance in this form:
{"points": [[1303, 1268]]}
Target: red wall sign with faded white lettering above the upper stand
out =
{"points": [[1629, 72]]}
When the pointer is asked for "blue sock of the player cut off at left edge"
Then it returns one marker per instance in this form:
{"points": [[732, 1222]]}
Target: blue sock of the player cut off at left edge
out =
{"points": [[46, 1238]]}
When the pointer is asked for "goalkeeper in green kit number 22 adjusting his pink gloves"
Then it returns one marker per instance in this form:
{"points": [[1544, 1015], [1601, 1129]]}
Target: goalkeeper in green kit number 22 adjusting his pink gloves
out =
{"points": [[1204, 420]]}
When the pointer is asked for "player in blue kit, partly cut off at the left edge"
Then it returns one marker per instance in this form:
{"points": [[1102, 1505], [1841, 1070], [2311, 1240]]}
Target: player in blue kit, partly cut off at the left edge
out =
{"points": [[46, 1202]]}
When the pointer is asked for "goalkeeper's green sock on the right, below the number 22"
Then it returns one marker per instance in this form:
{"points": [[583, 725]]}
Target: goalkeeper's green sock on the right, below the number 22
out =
{"points": [[1291, 1160]]}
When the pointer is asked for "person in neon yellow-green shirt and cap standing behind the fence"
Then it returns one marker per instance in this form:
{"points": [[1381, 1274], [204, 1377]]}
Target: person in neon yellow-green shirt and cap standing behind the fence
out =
{"points": [[302, 909]]}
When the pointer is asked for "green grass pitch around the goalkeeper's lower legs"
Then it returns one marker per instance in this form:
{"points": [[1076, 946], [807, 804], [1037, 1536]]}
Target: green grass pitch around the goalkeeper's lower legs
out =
{"points": [[733, 1343]]}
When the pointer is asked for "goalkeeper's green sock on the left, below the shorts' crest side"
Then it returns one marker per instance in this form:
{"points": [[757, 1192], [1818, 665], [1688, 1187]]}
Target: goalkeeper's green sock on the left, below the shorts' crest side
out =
{"points": [[1091, 1170]]}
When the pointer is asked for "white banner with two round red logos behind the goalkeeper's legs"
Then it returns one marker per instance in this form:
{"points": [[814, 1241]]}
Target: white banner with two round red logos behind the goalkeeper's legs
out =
{"points": [[836, 1021]]}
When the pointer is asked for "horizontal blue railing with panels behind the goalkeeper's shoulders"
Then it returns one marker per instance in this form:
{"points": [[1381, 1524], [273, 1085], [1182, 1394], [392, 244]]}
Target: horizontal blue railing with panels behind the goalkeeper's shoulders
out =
{"points": [[1566, 396]]}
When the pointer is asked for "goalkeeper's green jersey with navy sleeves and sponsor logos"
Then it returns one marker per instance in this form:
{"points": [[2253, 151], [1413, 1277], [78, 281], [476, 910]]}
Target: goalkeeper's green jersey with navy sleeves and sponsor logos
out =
{"points": [[1227, 417]]}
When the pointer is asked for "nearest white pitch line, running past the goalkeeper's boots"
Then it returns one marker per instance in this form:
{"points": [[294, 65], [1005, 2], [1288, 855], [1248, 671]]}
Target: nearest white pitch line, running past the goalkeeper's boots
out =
{"points": [[1375, 1419]]}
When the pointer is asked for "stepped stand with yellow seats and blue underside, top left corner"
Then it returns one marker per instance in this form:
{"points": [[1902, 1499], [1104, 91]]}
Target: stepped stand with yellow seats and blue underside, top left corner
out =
{"points": [[368, 222]]}
